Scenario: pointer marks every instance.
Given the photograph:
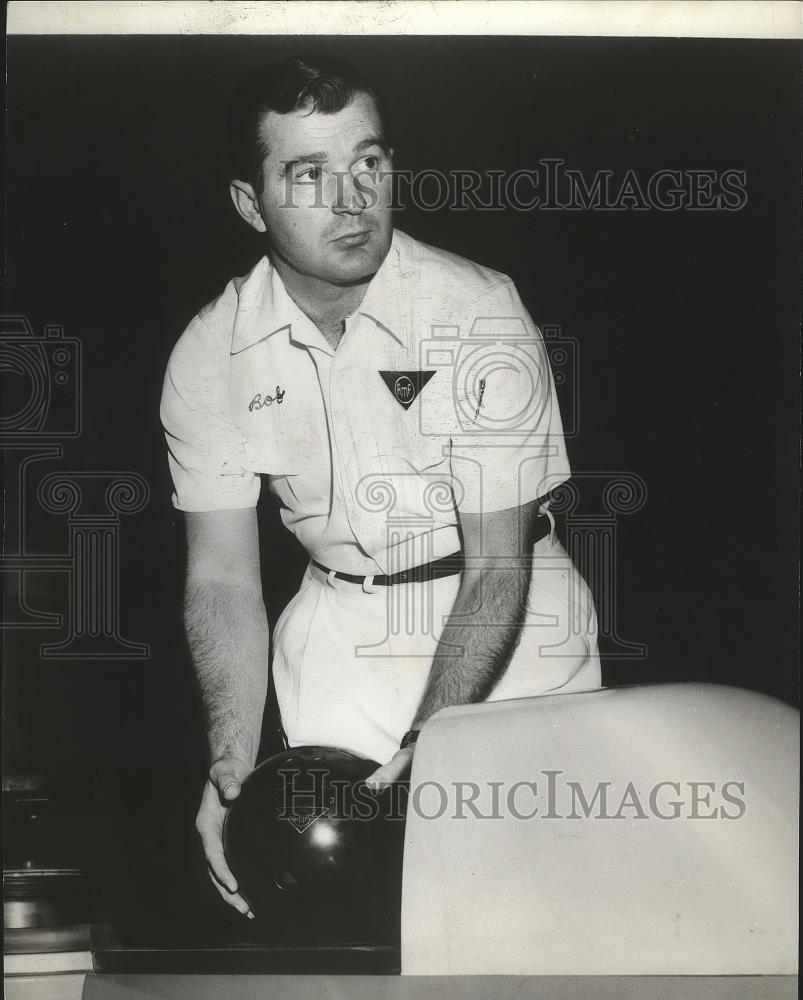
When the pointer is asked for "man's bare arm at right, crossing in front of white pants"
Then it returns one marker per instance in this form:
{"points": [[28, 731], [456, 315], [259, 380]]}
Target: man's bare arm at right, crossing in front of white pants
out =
{"points": [[486, 619]]}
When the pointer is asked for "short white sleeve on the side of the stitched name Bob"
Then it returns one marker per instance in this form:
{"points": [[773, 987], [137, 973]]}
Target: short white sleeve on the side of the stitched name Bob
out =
{"points": [[205, 449]]}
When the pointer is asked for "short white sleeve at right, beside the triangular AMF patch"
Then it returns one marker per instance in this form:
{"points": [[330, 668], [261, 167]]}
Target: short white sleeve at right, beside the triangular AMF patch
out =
{"points": [[507, 443]]}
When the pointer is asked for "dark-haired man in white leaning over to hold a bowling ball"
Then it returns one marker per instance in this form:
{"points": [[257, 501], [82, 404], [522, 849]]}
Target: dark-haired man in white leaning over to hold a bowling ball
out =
{"points": [[399, 401]]}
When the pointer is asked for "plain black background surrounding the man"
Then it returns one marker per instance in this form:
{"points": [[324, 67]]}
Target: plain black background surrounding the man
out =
{"points": [[119, 226]]}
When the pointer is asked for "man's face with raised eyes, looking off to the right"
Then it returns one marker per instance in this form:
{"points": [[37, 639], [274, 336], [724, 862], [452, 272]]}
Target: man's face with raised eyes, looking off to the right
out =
{"points": [[324, 201]]}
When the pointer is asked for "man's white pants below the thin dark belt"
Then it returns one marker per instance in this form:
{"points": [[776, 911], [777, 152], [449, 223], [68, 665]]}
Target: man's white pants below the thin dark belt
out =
{"points": [[350, 666]]}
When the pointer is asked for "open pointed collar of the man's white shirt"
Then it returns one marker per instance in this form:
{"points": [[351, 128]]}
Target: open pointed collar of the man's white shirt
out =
{"points": [[264, 306]]}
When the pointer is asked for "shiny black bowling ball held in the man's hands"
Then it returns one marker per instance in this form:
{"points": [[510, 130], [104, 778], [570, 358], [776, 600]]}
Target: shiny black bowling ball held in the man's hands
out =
{"points": [[314, 851]]}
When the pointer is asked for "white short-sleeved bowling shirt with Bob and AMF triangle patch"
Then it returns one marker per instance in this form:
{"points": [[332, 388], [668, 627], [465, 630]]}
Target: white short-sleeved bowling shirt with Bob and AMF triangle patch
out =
{"points": [[438, 399]]}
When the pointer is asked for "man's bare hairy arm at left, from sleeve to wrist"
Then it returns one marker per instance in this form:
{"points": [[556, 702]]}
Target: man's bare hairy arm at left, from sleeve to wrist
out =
{"points": [[227, 628]]}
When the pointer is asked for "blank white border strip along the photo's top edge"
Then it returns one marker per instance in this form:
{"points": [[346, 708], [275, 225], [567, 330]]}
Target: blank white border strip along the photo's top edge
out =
{"points": [[769, 19]]}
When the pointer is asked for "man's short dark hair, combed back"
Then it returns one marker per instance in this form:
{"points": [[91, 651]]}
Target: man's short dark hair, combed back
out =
{"points": [[319, 83]]}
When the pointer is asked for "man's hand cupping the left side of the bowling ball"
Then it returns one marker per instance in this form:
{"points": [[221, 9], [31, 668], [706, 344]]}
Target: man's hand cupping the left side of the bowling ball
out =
{"points": [[225, 780]]}
